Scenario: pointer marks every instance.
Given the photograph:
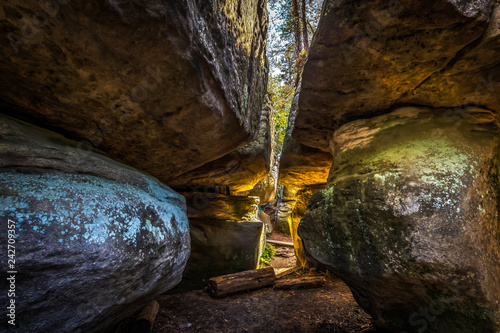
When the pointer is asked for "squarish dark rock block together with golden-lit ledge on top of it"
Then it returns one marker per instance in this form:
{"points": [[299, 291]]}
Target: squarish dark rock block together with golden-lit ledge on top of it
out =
{"points": [[227, 237]]}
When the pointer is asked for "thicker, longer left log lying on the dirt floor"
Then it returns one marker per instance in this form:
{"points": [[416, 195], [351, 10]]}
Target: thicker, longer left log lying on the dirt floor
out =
{"points": [[225, 285]]}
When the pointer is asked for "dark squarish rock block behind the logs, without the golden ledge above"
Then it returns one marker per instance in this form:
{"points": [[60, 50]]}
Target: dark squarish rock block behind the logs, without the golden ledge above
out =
{"points": [[220, 247]]}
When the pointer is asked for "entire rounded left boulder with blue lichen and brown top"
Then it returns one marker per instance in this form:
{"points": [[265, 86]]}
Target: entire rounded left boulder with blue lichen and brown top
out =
{"points": [[96, 240]]}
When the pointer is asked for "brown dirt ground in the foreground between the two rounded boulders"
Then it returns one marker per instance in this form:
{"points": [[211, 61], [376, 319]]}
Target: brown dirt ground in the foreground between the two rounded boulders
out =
{"points": [[327, 309]]}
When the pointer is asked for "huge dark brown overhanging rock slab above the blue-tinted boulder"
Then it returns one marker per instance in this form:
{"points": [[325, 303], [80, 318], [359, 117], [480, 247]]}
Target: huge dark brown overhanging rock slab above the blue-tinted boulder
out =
{"points": [[165, 87]]}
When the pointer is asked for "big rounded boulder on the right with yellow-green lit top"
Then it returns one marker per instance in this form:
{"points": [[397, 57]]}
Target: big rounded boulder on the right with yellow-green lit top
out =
{"points": [[410, 219]]}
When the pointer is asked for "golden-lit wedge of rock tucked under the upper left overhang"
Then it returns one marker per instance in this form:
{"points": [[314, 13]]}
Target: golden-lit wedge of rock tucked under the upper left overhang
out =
{"points": [[241, 169]]}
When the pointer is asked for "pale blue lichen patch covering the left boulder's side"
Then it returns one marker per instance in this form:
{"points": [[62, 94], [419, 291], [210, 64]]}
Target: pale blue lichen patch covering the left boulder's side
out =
{"points": [[76, 207]]}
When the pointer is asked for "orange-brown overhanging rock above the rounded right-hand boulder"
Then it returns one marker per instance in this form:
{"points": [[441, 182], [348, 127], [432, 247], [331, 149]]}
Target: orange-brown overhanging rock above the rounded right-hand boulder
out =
{"points": [[368, 56]]}
